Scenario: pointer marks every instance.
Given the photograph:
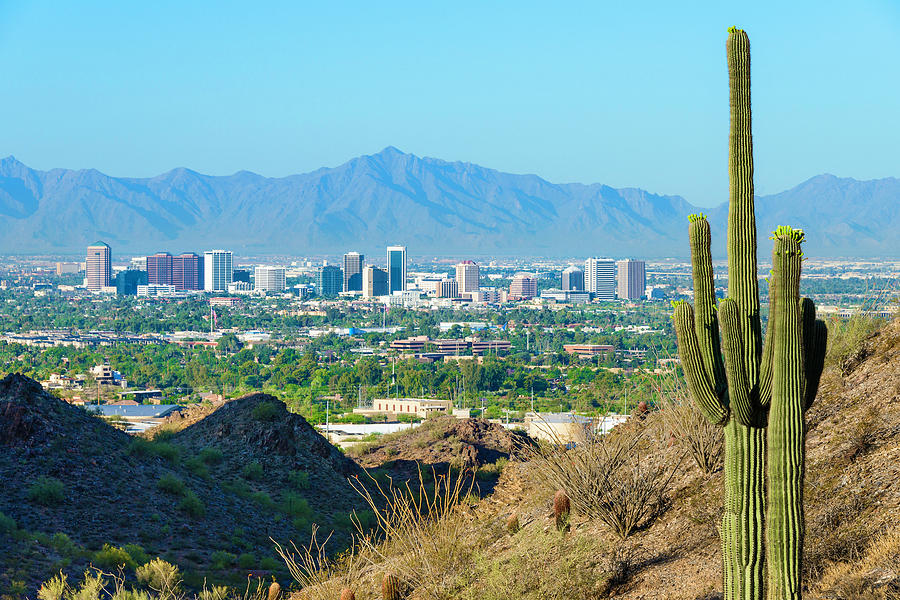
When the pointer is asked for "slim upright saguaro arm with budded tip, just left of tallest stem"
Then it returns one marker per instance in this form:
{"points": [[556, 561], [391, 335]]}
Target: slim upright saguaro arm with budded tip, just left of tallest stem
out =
{"points": [[705, 319]]}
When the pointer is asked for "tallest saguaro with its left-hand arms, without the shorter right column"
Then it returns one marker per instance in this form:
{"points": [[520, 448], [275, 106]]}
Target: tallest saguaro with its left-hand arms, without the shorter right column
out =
{"points": [[728, 391]]}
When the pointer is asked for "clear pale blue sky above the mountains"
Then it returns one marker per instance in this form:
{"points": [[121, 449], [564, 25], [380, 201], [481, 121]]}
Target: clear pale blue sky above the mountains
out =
{"points": [[623, 93]]}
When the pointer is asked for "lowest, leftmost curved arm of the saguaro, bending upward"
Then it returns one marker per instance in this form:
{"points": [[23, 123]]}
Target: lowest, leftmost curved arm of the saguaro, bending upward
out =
{"points": [[698, 379]]}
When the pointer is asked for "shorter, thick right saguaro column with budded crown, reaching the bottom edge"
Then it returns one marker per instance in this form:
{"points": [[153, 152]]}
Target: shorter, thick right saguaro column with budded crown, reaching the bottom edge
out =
{"points": [[786, 425]]}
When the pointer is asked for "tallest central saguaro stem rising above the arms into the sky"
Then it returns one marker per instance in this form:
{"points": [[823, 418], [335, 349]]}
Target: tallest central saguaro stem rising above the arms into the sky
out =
{"points": [[743, 285]]}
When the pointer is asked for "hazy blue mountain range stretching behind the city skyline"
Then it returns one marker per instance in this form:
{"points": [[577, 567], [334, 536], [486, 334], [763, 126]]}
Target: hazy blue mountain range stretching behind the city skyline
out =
{"points": [[433, 206]]}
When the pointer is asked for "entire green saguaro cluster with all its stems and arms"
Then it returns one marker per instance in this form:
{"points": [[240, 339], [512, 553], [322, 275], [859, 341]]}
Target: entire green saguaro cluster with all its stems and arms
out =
{"points": [[744, 386]]}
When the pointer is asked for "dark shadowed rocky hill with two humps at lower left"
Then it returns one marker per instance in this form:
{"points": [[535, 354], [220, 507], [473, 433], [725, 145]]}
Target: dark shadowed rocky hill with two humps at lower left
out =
{"points": [[208, 498]]}
